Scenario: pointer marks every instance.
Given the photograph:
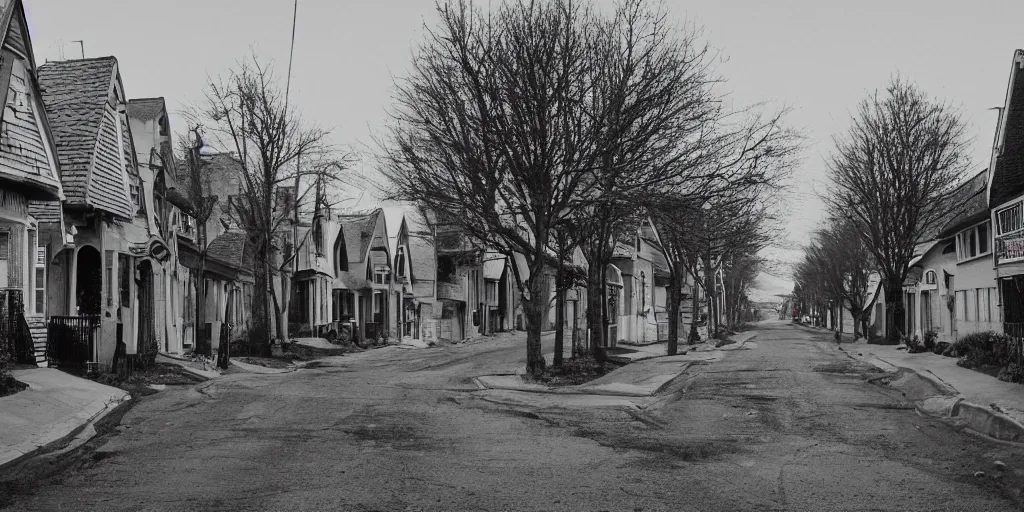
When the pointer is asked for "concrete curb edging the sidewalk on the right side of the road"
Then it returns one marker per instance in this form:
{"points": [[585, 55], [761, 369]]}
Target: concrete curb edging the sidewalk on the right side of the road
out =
{"points": [[954, 408]]}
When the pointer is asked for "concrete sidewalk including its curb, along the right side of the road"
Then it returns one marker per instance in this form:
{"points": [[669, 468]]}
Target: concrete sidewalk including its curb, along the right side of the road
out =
{"points": [[979, 402]]}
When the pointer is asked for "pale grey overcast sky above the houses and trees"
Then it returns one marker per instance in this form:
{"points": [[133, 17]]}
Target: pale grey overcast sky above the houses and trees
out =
{"points": [[818, 58]]}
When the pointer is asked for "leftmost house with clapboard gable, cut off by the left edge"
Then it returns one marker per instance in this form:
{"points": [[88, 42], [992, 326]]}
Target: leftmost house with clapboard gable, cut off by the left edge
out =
{"points": [[32, 230]]}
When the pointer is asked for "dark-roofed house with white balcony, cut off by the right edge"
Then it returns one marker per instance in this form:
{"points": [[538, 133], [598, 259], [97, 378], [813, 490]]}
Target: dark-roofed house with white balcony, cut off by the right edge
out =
{"points": [[1006, 197]]}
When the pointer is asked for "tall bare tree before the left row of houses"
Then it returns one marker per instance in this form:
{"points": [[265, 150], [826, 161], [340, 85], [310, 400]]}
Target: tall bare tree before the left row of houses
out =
{"points": [[285, 163]]}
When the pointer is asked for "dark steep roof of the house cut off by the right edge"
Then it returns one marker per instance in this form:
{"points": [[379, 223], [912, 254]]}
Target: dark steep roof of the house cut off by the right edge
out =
{"points": [[1008, 159]]}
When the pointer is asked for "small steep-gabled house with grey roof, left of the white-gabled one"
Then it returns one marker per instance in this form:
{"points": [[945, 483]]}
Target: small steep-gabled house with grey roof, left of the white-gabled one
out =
{"points": [[362, 284]]}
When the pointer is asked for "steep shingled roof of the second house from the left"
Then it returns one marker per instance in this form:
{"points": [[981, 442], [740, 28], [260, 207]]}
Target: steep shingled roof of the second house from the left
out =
{"points": [[76, 95]]}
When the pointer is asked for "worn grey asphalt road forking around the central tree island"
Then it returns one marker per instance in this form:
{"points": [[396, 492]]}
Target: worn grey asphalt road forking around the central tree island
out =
{"points": [[786, 423]]}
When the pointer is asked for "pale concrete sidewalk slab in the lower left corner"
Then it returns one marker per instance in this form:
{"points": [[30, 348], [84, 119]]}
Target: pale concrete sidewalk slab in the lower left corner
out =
{"points": [[55, 406]]}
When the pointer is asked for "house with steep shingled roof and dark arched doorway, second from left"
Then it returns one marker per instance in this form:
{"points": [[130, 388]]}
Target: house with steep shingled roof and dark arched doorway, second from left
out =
{"points": [[99, 287]]}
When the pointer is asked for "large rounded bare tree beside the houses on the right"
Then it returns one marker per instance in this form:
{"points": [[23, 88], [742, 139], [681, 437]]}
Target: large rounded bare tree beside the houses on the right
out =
{"points": [[891, 174]]}
